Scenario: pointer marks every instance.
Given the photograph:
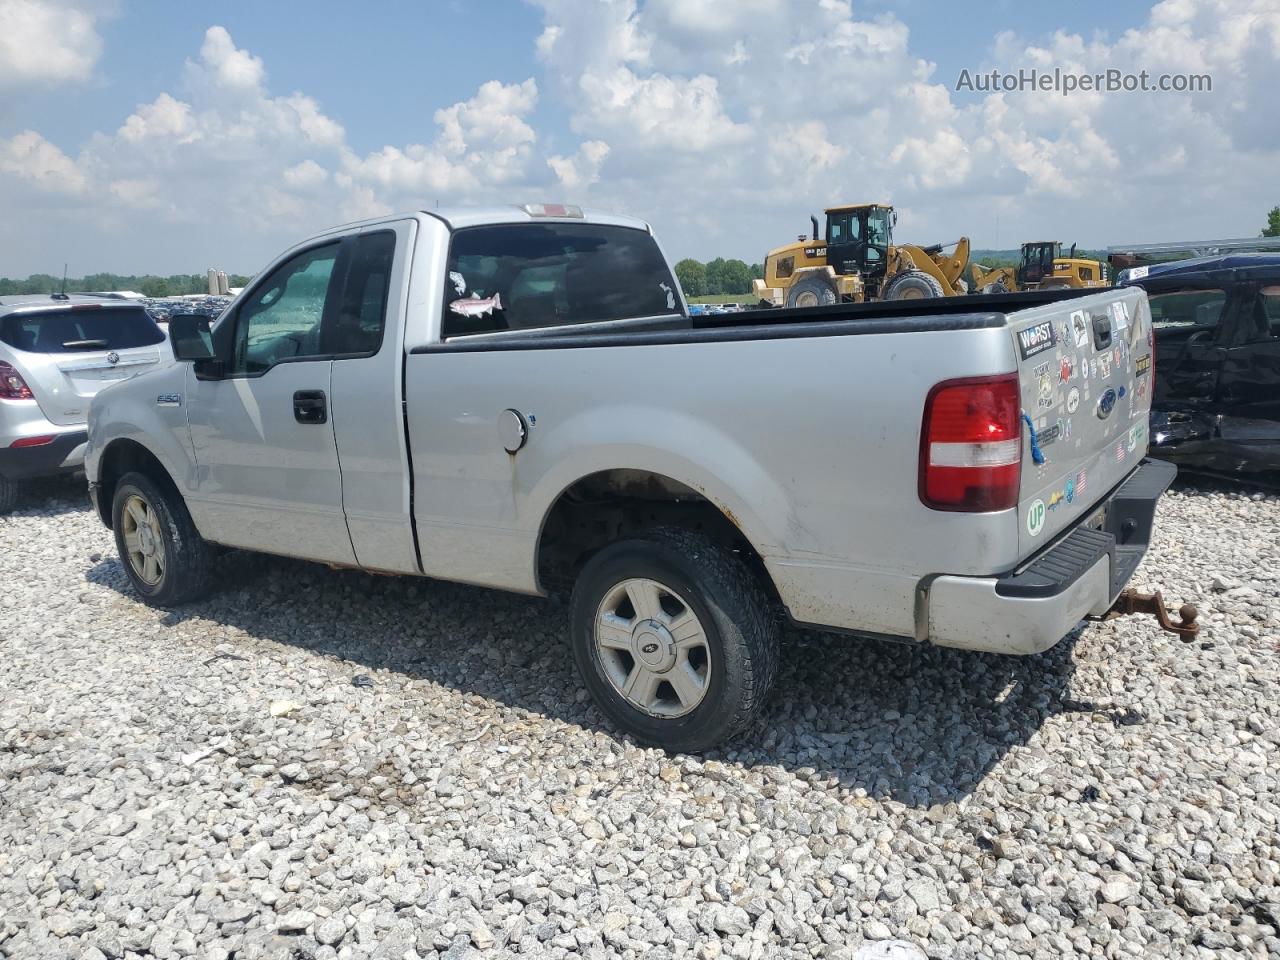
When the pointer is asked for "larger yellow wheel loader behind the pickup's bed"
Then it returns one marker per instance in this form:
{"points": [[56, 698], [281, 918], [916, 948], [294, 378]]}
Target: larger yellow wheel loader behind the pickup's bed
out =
{"points": [[858, 260]]}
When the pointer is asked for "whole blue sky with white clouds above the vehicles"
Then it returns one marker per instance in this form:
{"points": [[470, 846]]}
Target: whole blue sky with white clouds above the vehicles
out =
{"points": [[161, 138]]}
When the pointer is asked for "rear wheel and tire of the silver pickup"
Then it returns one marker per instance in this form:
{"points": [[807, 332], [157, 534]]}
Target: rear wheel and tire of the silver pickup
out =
{"points": [[675, 639]]}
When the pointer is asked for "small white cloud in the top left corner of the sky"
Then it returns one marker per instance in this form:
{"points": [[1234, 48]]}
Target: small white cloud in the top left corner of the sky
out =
{"points": [[47, 43]]}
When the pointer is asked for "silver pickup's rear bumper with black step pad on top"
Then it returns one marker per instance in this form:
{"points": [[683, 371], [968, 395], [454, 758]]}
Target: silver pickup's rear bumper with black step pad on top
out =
{"points": [[1031, 610]]}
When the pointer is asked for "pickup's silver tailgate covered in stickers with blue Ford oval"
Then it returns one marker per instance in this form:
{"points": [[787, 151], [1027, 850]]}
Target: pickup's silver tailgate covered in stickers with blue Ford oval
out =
{"points": [[1086, 374]]}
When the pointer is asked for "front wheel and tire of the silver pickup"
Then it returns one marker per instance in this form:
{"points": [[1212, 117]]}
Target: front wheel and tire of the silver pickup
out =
{"points": [[167, 561]]}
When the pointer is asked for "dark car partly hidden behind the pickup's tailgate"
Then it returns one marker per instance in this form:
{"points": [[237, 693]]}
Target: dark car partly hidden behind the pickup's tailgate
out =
{"points": [[1217, 324]]}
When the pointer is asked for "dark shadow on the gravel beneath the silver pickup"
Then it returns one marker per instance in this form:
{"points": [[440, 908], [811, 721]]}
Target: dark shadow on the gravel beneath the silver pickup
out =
{"points": [[921, 726]]}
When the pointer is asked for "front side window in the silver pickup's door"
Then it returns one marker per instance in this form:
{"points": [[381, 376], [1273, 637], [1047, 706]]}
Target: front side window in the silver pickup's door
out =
{"points": [[282, 318]]}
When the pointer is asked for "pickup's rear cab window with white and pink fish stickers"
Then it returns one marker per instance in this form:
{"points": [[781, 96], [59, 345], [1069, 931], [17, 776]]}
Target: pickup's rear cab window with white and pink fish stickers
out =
{"points": [[523, 277]]}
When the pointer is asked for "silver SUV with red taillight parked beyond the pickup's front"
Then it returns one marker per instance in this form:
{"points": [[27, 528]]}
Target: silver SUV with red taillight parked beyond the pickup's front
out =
{"points": [[57, 351]]}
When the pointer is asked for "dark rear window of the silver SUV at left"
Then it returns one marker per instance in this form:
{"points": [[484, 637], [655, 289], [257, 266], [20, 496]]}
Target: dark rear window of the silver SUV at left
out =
{"points": [[81, 328]]}
